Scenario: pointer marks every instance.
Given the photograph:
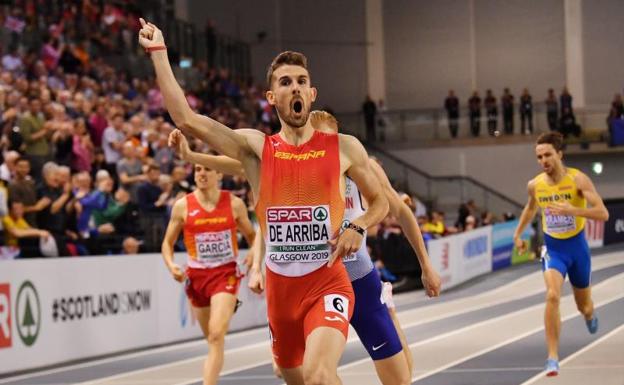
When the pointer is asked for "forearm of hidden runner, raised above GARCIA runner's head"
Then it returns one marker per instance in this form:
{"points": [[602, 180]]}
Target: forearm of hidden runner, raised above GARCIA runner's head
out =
{"points": [[219, 163]]}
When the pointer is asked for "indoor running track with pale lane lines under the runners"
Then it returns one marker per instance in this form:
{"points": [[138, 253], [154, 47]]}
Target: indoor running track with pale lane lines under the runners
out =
{"points": [[487, 332]]}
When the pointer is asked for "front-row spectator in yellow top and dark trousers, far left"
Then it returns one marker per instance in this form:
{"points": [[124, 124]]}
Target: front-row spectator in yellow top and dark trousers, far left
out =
{"points": [[19, 234]]}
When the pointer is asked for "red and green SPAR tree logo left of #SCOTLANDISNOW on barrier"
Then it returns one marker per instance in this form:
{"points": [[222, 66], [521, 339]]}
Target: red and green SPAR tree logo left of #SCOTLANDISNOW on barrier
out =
{"points": [[27, 313]]}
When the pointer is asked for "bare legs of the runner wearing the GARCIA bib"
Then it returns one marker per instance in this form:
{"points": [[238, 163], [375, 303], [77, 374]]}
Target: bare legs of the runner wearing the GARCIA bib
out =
{"points": [[214, 321]]}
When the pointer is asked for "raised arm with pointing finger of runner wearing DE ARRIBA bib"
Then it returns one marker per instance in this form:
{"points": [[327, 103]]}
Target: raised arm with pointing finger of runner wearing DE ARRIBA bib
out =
{"points": [[223, 139]]}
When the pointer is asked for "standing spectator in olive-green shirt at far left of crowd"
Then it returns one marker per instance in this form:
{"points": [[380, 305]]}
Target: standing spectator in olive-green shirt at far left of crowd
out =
{"points": [[35, 135]]}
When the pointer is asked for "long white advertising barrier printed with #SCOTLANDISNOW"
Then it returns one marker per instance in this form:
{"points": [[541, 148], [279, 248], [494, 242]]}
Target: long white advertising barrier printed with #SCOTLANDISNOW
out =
{"points": [[58, 310]]}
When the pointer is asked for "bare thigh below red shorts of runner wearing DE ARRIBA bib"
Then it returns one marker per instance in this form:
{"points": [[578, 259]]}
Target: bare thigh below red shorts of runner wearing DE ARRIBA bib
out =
{"points": [[324, 347]]}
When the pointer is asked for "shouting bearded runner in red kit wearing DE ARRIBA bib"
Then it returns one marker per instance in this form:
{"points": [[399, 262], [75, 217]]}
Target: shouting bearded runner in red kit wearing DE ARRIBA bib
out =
{"points": [[297, 180]]}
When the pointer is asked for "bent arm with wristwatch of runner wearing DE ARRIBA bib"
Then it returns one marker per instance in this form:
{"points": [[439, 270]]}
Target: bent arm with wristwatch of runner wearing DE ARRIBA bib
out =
{"points": [[359, 171]]}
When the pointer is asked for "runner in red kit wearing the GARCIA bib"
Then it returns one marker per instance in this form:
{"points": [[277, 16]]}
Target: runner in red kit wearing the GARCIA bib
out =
{"points": [[209, 218]]}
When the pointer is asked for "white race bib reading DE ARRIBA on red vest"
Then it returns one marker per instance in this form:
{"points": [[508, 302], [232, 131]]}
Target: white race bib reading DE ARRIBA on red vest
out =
{"points": [[298, 234]]}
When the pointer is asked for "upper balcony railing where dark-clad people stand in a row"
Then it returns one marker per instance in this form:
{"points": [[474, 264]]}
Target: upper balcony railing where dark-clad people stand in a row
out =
{"points": [[419, 125]]}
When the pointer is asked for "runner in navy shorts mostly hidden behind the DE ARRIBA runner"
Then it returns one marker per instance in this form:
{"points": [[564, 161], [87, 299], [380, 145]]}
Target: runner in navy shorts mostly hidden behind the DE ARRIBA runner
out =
{"points": [[376, 324]]}
